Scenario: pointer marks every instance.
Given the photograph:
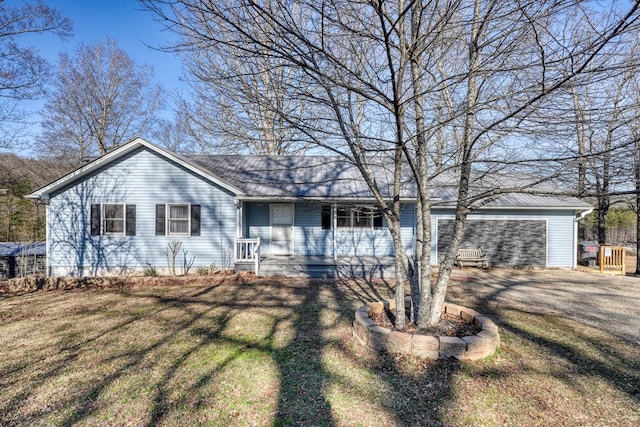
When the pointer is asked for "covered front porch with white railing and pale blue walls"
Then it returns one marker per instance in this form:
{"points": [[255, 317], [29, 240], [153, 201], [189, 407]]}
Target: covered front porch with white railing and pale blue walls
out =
{"points": [[315, 239]]}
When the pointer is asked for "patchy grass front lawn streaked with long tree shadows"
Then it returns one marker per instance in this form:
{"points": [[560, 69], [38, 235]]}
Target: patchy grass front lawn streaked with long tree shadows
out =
{"points": [[280, 352]]}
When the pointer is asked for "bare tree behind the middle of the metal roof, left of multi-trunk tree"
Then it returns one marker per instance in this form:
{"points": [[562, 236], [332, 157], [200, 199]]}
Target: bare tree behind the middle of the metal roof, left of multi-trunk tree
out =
{"points": [[239, 102]]}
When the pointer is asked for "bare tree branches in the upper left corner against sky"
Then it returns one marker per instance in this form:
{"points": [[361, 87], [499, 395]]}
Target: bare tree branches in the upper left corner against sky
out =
{"points": [[23, 72]]}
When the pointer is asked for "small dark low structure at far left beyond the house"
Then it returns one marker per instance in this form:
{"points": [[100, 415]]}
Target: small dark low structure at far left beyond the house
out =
{"points": [[20, 259]]}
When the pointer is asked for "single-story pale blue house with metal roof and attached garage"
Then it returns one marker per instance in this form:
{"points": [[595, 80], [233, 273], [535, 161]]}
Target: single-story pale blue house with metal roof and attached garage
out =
{"points": [[292, 215]]}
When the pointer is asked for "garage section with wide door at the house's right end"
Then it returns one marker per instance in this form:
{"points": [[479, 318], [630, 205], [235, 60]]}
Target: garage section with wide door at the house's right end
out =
{"points": [[514, 232]]}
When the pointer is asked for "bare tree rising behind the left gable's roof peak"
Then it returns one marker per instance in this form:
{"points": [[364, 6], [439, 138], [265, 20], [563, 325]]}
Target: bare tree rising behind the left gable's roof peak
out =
{"points": [[99, 99]]}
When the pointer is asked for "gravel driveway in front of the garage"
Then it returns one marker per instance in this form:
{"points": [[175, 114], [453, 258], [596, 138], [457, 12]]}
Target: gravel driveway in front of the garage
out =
{"points": [[610, 303]]}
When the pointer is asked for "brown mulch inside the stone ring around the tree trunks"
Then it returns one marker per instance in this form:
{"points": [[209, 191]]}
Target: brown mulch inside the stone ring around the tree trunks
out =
{"points": [[449, 325]]}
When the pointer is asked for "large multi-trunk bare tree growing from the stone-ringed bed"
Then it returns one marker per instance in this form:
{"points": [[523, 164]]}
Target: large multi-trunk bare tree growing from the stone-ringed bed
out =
{"points": [[389, 82]]}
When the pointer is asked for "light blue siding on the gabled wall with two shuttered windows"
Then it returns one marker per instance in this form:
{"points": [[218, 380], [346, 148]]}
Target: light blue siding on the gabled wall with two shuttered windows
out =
{"points": [[145, 179]]}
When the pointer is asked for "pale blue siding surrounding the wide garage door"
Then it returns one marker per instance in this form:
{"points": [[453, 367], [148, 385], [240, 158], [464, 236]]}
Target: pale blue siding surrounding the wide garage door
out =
{"points": [[559, 230]]}
